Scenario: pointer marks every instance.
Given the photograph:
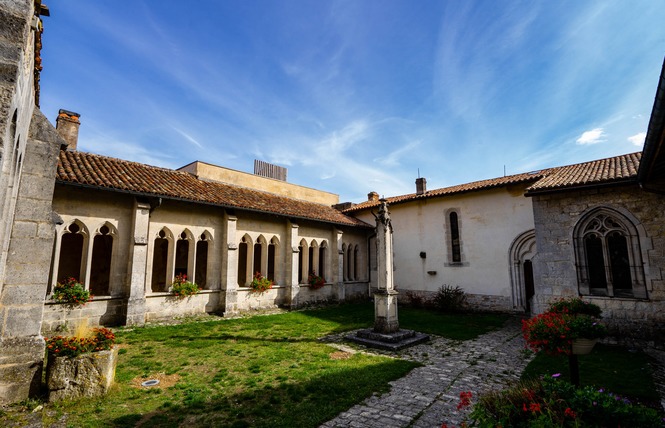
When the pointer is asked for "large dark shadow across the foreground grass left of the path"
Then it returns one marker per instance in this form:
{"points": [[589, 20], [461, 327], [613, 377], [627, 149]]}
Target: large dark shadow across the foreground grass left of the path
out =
{"points": [[307, 403]]}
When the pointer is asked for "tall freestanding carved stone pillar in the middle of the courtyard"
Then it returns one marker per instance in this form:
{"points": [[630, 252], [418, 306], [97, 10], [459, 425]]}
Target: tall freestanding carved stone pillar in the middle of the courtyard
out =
{"points": [[385, 299]]}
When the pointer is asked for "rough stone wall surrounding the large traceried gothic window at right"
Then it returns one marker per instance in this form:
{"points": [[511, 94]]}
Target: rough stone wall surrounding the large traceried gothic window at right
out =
{"points": [[555, 272]]}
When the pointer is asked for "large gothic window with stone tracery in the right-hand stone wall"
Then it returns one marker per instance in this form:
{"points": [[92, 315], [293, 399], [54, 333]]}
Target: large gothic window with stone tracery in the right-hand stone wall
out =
{"points": [[609, 259]]}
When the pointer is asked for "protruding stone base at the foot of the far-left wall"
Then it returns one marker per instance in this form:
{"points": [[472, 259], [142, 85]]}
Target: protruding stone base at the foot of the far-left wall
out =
{"points": [[21, 362]]}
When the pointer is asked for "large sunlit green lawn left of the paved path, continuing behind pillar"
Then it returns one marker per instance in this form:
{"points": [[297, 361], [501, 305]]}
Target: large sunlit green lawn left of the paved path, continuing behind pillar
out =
{"points": [[260, 371]]}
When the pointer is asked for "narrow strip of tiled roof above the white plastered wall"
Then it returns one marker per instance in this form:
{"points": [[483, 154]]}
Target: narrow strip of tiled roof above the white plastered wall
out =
{"points": [[460, 188]]}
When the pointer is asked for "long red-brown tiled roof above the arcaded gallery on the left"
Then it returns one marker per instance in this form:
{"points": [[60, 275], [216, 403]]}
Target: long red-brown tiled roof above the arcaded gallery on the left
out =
{"points": [[101, 172]]}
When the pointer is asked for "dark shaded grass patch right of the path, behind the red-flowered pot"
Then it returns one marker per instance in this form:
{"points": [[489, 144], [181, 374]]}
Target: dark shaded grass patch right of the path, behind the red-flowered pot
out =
{"points": [[612, 368]]}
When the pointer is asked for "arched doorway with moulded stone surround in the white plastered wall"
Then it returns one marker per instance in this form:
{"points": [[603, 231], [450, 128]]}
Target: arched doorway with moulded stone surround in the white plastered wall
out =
{"points": [[522, 251]]}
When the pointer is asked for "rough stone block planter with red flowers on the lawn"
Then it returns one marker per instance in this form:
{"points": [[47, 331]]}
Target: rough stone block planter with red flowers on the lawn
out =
{"points": [[82, 365]]}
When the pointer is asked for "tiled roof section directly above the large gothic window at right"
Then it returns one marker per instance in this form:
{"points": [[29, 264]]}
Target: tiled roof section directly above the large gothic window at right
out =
{"points": [[603, 171]]}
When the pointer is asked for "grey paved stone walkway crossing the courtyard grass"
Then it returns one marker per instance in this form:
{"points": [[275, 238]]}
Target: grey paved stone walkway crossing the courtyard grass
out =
{"points": [[428, 396]]}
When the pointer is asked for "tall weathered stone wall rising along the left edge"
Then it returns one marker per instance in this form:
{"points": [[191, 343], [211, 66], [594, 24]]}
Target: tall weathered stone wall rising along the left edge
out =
{"points": [[29, 153]]}
